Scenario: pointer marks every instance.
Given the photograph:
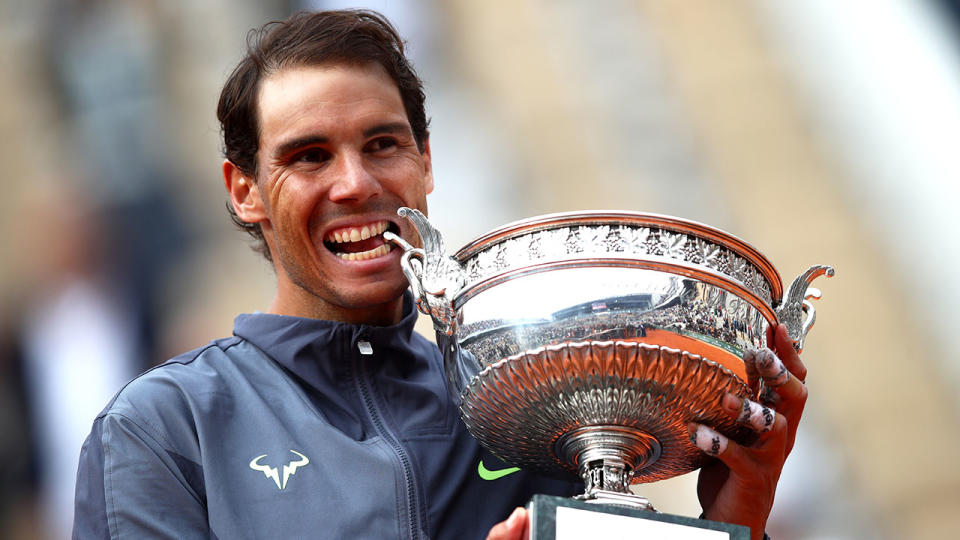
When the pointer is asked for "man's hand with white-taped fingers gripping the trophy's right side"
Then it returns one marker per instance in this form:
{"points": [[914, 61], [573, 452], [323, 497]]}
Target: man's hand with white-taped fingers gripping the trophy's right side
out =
{"points": [[739, 487]]}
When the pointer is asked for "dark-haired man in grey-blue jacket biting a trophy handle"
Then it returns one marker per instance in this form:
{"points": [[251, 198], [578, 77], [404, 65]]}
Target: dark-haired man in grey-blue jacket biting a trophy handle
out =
{"points": [[327, 416]]}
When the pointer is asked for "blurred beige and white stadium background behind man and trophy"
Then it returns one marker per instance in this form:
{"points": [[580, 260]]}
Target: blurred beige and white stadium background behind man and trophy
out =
{"points": [[819, 131]]}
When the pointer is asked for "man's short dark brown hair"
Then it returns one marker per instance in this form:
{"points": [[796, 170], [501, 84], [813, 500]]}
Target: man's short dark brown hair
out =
{"points": [[354, 37]]}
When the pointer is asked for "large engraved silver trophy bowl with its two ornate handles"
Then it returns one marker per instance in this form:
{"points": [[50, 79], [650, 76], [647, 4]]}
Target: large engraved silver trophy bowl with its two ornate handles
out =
{"points": [[581, 344]]}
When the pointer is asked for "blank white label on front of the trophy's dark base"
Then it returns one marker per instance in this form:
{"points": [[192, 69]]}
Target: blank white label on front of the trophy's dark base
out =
{"points": [[576, 524]]}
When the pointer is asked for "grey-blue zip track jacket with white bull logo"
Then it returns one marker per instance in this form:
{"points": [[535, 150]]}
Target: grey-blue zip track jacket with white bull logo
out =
{"points": [[289, 430]]}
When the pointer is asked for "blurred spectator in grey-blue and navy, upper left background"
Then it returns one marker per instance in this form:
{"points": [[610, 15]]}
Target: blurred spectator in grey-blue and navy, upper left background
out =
{"points": [[107, 63]]}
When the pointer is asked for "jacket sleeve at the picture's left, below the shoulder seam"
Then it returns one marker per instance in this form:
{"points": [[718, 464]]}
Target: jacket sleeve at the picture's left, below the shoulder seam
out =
{"points": [[130, 485]]}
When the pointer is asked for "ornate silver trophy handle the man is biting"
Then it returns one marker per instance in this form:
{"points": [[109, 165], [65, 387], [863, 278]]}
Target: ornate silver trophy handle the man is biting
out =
{"points": [[434, 277]]}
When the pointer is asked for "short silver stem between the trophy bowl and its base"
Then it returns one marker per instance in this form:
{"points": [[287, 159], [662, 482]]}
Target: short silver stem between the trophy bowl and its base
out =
{"points": [[606, 457]]}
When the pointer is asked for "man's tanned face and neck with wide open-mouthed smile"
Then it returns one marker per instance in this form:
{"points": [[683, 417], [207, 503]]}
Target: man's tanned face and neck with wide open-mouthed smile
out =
{"points": [[337, 158]]}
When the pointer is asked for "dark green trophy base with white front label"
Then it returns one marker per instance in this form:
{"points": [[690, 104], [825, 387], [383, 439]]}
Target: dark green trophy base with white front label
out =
{"points": [[558, 518]]}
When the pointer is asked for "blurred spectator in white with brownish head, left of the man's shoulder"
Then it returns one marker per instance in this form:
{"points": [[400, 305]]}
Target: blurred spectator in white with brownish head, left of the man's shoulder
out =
{"points": [[78, 343]]}
